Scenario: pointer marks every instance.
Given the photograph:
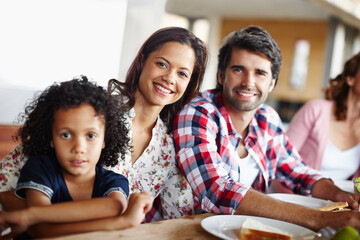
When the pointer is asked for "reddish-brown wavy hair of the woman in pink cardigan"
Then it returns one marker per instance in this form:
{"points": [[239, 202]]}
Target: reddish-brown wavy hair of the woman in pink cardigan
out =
{"points": [[338, 89]]}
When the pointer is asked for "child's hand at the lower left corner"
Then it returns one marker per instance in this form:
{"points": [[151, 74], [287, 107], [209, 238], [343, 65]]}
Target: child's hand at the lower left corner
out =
{"points": [[17, 220]]}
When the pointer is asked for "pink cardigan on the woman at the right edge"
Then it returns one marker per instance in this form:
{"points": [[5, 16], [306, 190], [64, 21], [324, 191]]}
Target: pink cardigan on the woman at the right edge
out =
{"points": [[309, 131]]}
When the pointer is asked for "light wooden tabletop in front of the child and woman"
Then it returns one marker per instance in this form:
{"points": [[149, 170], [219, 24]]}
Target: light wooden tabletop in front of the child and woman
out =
{"points": [[180, 228]]}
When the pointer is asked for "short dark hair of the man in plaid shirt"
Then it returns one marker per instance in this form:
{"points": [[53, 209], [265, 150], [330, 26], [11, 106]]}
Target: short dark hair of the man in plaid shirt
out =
{"points": [[254, 39]]}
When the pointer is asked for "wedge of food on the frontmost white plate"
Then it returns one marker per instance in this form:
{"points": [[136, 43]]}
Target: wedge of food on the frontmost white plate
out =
{"points": [[252, 229]]}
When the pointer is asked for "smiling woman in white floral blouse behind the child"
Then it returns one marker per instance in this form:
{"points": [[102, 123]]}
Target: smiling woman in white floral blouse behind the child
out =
{"points": [[165, 75]]}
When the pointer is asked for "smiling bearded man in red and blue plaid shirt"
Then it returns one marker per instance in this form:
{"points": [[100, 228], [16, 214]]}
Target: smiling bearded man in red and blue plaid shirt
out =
{"points": [[231, 146]]}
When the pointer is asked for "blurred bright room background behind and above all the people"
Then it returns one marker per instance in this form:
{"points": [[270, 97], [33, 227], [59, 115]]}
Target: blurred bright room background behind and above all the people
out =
{"points": [[43, 41]]}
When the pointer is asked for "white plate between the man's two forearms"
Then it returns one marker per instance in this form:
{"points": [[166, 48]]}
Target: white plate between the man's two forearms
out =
{"points": [[299, 199]]}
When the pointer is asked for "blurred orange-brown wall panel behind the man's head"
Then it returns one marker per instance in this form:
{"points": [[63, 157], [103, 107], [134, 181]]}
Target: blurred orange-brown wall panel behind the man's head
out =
{"points": [[285, 33]]}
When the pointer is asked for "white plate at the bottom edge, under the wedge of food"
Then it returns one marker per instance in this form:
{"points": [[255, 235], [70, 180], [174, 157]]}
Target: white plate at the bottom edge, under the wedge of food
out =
{"points": [[228, 226]]}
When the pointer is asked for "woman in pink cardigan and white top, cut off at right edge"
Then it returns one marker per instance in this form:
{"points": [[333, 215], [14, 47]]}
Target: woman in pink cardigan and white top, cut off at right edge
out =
{"points": [[324, 130]]}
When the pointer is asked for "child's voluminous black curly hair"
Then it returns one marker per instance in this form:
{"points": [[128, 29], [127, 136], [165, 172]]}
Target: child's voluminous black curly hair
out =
{"points": [[36, 132]]}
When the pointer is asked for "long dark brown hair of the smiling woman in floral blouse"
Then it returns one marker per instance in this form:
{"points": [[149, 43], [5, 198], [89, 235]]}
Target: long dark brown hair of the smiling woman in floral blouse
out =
{"points": [[153, 43]]}
